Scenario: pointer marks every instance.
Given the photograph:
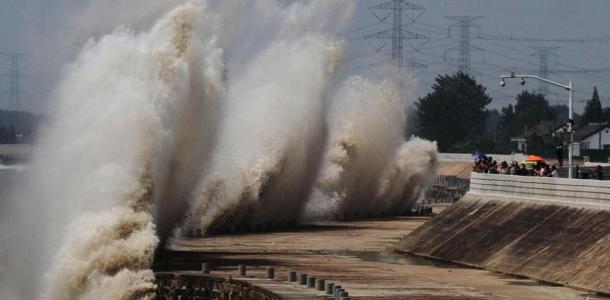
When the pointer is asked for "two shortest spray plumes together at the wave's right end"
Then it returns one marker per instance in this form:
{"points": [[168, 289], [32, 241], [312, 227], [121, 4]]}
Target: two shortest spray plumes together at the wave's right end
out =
{"points": [[369, 170]]}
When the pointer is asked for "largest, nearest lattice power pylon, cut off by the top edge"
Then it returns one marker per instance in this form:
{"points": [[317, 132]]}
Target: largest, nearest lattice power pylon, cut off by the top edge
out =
{"points": [[397, 9]]}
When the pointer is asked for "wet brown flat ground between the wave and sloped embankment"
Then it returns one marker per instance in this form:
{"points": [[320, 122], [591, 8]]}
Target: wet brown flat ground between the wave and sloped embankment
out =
{"points": [[359, 255]]}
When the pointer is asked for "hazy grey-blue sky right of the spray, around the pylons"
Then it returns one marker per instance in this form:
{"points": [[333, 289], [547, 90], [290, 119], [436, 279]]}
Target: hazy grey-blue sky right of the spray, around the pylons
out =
{"points": [[550, 19]]}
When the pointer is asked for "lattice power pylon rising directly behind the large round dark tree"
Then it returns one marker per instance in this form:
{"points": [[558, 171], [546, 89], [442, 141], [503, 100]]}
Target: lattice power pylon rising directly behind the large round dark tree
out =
{"points": [[464, 47]]}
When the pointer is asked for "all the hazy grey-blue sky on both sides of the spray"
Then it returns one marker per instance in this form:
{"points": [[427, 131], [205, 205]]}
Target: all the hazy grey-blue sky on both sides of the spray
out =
{"points": [[50, 32]]}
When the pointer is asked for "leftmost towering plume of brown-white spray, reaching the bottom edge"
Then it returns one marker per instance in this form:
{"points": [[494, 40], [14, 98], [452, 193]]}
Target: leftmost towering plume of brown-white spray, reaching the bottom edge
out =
{"points": [[121, 122]]}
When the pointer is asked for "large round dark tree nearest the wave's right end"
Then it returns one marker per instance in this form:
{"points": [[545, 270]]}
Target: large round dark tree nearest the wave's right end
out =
{"points": [[454, 113]]}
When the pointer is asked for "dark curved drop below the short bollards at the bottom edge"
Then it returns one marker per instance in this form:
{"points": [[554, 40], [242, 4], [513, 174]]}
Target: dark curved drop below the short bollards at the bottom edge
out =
{"points": [[199, 287]]}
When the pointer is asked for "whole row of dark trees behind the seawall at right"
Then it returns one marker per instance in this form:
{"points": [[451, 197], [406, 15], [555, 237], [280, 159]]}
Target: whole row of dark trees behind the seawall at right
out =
{"points": [[456, 115]]}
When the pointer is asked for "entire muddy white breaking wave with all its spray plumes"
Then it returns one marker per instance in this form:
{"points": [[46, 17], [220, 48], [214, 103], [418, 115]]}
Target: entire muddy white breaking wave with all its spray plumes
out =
{"points": [[224, 116]]}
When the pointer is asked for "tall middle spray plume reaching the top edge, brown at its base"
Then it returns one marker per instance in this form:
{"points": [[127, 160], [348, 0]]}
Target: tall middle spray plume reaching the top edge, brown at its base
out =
{"points": [[280, 74]]}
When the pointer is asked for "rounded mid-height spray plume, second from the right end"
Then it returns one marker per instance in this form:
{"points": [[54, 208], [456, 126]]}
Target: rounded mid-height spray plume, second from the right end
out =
{"points": [[365, 127]]}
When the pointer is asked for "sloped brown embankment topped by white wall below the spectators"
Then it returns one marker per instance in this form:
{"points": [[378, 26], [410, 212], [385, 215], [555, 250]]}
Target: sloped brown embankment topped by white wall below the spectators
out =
{"points": [[555, 230]]}
